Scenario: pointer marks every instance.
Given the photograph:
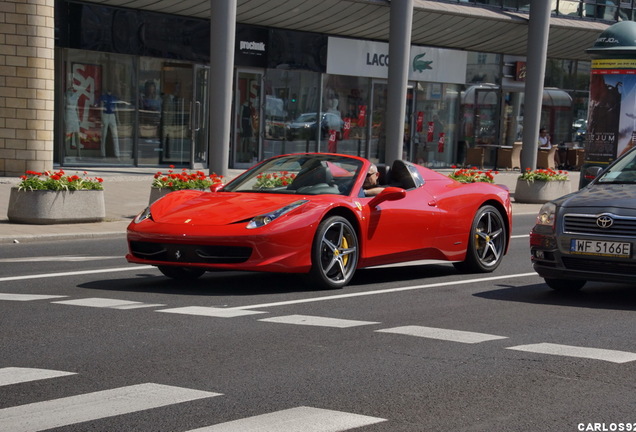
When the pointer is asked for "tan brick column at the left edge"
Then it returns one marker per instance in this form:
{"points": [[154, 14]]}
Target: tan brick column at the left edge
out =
{"points": [[27, 82]]}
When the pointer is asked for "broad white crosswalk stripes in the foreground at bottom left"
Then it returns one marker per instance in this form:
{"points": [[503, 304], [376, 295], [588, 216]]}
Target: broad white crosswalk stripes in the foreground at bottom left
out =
{"points": [[94, 406]]}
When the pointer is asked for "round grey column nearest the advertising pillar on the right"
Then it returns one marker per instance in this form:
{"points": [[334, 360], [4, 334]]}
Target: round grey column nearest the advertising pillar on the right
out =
{"points": [[538, 31]]}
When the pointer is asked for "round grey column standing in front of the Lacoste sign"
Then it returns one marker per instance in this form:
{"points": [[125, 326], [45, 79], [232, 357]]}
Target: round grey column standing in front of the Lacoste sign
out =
{"points": [[401, 22]]}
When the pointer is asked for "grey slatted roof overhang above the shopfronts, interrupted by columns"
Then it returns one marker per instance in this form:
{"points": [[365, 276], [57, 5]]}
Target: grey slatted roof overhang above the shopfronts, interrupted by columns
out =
{"points": [[448, 25]]}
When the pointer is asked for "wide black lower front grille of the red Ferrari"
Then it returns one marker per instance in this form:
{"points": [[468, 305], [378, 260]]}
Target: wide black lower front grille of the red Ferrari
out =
{"points": [[204, 254]]}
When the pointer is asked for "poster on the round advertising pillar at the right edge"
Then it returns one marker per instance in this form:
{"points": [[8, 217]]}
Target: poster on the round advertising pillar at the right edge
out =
{"points": [[612, 109]]}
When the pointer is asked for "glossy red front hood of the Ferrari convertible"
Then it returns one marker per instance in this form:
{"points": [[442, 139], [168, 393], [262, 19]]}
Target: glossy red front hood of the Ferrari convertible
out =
{"points": [[215, 208]]}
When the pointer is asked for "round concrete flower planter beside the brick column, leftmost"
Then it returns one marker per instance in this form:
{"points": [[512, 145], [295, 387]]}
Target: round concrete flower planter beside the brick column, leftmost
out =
{"points": [[46, 207]]}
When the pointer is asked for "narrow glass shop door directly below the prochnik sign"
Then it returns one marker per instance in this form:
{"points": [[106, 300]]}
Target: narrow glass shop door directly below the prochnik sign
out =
{"points": [[247, 115]]}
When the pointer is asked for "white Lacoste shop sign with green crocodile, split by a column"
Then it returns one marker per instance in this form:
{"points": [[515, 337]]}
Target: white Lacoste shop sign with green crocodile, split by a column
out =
{"points": [[371, 59]]}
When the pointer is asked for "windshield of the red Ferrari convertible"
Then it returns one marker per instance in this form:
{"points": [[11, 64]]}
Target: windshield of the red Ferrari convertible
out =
{"points": [[306, 174]]}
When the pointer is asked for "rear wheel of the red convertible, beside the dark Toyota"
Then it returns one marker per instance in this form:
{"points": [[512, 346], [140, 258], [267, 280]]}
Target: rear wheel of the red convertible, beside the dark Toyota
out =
{"points": [[486, 242]]}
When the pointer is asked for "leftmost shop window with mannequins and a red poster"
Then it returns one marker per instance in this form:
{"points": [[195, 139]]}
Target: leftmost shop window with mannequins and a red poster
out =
{"points": [[99, 108]]}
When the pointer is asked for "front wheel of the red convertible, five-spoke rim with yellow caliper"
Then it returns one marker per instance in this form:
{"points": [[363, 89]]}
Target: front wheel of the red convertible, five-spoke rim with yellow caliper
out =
{"points": [[334, 253]]}
